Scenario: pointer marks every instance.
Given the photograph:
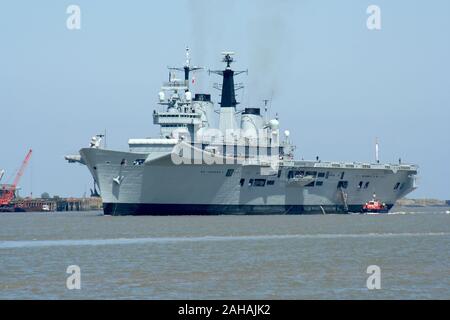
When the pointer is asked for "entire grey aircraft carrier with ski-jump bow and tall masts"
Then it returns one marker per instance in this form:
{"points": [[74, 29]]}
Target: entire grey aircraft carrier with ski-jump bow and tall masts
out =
{"points": [[243, 165]]}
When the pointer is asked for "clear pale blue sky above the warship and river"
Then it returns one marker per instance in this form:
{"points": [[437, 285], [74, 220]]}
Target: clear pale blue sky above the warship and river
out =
{"points": [[335, 84]]}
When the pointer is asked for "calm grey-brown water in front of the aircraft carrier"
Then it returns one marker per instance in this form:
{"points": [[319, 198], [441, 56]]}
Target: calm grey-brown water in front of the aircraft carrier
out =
{"points": [[226, 257]]}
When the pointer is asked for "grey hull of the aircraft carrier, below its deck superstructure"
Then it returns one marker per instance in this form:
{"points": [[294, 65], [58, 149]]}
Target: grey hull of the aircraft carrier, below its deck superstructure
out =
{"points": [[160, 187]]}
